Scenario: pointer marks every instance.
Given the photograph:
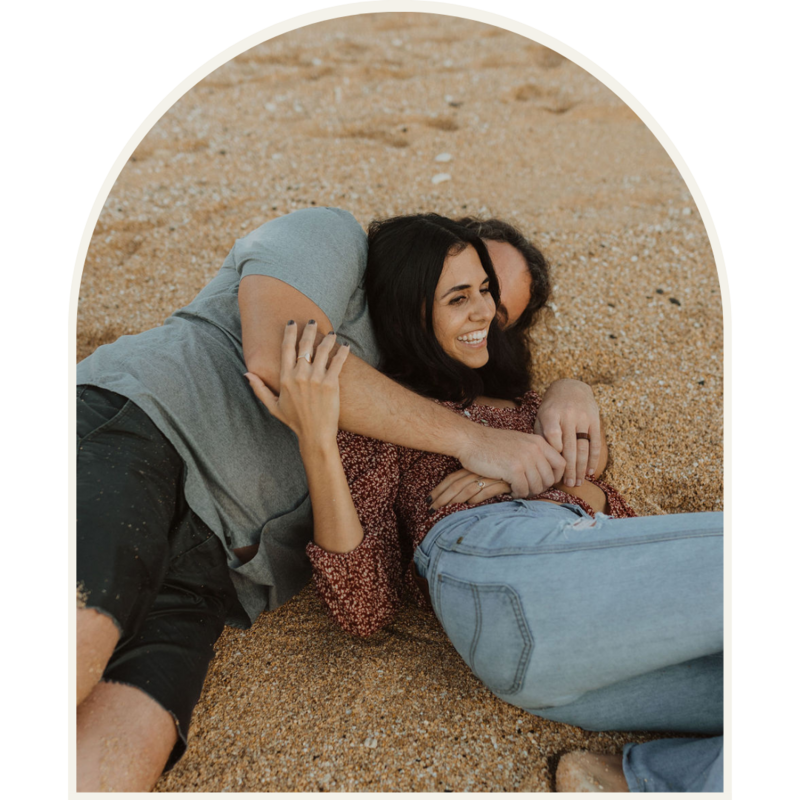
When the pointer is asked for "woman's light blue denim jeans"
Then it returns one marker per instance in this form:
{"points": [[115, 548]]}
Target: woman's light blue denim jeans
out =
{"points": [[608, 624]]}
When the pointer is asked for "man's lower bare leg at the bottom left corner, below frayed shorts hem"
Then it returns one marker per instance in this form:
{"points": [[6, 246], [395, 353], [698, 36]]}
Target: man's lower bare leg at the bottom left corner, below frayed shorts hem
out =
{"points": [[124, 739]]}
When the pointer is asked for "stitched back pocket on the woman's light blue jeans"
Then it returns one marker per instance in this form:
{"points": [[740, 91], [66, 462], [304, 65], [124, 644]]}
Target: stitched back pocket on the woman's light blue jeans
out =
{"points": [[486, 625]]}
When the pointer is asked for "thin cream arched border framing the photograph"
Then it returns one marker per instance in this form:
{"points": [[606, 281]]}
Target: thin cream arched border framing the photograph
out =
{"points": [[364, 7]]}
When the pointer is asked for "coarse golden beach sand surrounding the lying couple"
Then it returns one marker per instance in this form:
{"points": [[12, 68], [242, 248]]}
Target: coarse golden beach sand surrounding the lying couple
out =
{"points": [[395, 113]]}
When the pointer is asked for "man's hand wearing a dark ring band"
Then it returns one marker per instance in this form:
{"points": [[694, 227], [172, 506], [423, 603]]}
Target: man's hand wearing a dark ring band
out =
{"points": [[568, 408]]}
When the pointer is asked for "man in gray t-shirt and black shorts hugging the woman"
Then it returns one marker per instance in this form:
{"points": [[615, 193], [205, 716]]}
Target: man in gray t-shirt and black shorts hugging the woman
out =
{"points": [[192, 503]]}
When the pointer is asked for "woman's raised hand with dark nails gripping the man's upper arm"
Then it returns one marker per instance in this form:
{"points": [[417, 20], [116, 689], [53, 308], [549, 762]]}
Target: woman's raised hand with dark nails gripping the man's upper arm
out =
{"points": [[309, 393]]}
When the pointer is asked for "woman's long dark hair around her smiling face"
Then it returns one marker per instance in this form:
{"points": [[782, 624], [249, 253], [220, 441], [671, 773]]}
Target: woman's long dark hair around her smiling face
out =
{"points": [[405, 260]]}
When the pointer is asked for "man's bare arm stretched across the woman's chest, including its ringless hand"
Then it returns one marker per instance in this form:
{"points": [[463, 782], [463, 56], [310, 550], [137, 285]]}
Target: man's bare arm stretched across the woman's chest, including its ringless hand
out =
{"points": [[373, 405]]}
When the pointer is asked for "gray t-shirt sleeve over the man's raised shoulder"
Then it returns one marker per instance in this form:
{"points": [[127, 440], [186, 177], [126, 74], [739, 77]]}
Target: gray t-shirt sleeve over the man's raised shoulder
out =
{"points": [[321, 252]]}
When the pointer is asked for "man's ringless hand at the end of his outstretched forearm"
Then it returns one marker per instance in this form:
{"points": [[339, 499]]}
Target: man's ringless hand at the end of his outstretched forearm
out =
{"points": [[525, 461]]}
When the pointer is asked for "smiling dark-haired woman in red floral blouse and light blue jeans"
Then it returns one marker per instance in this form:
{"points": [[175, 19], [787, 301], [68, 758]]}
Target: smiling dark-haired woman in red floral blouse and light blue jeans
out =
{"points": [[565, 604]]}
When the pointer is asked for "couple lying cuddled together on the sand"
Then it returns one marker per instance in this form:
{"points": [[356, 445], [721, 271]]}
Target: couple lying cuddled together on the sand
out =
{"points": [[387, 396]]}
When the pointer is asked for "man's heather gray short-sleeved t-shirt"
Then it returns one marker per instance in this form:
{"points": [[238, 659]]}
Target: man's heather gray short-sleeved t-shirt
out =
{"points": [[244, 475]]}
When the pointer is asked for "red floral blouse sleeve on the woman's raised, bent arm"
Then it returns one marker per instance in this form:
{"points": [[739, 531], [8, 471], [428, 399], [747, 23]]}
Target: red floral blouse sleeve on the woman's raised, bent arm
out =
{"points": [[362, 589]]}
